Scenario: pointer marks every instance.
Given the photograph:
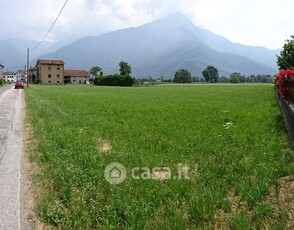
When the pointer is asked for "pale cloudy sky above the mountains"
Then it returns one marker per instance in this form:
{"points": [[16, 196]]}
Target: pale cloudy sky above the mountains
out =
{"points": [[253, 22]]}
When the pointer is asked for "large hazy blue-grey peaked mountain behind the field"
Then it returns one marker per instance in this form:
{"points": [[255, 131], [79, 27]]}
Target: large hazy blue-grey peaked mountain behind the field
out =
{"points": [[161, 47]]}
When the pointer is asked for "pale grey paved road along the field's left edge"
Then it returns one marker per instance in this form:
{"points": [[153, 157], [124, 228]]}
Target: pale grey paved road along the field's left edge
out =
{"points": [[11, 115]]}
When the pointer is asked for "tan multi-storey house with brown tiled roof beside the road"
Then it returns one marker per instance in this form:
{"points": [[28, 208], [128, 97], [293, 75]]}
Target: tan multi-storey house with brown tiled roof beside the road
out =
{"points": [[50, 71]]}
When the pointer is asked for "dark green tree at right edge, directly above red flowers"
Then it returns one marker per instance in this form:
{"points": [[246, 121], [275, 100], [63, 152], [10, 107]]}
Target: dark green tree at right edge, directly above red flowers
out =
{"points": [[286, 58]]}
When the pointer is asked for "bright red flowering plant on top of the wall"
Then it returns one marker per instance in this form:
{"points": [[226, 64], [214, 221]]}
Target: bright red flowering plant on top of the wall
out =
{"points": [[281, 81]]}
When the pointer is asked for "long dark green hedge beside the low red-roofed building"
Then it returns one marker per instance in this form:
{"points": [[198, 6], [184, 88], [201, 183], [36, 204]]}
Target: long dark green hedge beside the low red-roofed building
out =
{"points": [[114, 80]]}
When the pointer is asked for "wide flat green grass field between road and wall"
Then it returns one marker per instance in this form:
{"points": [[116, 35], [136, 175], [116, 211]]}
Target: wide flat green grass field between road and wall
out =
{"points": [[230, 136]]}
